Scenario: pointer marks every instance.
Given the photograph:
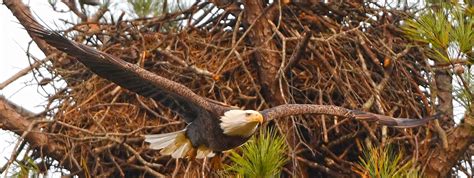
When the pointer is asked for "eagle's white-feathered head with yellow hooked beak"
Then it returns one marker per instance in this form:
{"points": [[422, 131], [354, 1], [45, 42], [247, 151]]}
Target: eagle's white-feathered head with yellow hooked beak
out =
{"points": [[240, 122]]}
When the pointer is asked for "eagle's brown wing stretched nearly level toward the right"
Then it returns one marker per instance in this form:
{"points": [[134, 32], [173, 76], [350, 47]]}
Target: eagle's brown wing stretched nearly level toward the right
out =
{"points": [[295, 109]]}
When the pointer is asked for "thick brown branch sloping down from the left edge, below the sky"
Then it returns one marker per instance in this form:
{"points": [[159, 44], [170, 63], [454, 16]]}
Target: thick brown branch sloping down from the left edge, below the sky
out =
{"points": [[13, 121]]}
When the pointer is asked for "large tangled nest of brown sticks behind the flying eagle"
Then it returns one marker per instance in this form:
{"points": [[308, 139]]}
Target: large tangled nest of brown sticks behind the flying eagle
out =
{"points": [[356, 57]]}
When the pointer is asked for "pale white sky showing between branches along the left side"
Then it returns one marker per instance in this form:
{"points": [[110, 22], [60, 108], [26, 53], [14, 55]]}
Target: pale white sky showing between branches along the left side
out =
{"points": [[13, 45]]}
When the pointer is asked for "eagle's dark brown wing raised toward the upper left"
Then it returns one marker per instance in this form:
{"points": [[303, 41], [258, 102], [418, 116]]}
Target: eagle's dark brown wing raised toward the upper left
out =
{"points": [[169, 93]]}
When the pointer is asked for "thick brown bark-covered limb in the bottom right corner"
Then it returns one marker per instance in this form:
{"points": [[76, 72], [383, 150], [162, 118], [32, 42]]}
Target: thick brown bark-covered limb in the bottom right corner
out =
{"points": [[442, 160]]}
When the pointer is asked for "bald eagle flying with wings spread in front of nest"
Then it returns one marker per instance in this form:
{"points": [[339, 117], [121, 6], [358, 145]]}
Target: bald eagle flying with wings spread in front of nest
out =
{"points": [[211, 127]]}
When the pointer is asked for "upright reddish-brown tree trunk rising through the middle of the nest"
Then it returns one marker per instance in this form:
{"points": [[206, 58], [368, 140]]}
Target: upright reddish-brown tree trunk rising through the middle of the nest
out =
{"points": [[266, 61]]}
